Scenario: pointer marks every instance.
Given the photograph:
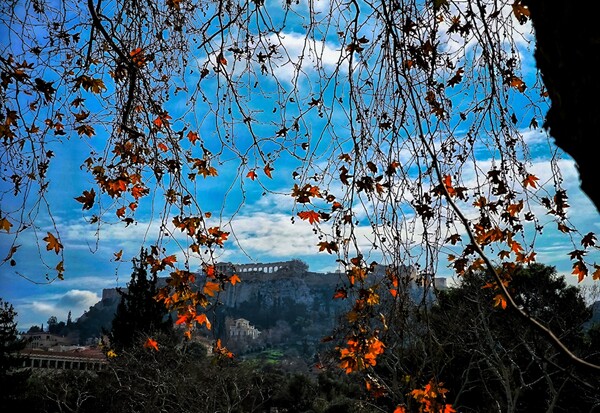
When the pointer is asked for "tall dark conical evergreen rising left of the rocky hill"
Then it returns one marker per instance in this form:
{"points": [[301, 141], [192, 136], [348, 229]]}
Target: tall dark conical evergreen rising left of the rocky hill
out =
{"points": [[138, 314]]}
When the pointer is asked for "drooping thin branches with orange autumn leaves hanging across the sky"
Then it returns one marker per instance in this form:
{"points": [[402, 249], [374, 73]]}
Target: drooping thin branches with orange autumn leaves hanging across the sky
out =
{"points": [[398, 145]]}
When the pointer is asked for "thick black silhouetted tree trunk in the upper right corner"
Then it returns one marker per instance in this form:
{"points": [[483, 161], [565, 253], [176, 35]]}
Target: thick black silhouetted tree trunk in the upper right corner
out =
{"points": [[568, 57]]}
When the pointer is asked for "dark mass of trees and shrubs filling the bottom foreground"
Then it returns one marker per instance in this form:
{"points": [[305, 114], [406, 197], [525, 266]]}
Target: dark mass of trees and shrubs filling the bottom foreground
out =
{"points": [[472, 358]]}
